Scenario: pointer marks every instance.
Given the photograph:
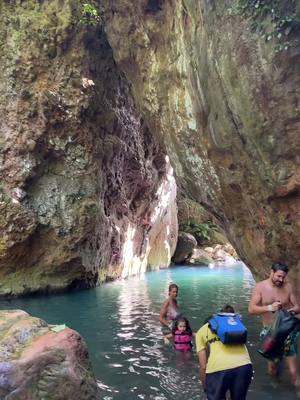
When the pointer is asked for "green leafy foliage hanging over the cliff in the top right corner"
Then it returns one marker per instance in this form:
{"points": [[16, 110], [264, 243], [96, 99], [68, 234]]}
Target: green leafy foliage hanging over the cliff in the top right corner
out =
{"points": [[273, 20]]}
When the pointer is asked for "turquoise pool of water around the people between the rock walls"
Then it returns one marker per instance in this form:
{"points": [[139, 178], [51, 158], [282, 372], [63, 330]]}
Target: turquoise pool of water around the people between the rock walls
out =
{"points": [[119, 322]]}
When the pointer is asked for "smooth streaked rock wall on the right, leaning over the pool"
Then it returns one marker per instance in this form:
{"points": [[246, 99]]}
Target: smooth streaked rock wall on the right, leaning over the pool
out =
{"points": [[225, 102]]}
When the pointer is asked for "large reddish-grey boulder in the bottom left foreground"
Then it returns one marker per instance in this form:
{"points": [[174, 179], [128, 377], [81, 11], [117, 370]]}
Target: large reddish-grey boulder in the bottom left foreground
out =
{"points": [[37, 363]]}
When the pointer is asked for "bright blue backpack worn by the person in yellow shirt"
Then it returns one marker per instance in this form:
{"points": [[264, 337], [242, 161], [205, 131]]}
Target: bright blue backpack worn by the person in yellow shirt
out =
{"points": [[229, 328]]}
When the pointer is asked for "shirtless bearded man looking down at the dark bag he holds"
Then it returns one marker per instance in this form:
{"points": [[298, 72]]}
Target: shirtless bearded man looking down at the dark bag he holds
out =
{"points": [[269, 296]]}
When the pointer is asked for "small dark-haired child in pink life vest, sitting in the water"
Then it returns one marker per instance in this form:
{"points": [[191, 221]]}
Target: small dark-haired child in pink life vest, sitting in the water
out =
{"points": [[181, 335]]}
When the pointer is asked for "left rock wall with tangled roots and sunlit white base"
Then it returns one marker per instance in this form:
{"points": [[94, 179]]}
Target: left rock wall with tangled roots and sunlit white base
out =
{"points": [[85, 189]]}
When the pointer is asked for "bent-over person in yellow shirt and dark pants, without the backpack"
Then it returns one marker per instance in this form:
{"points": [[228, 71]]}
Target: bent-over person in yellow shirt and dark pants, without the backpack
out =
{"points": [[223, 367]]}
